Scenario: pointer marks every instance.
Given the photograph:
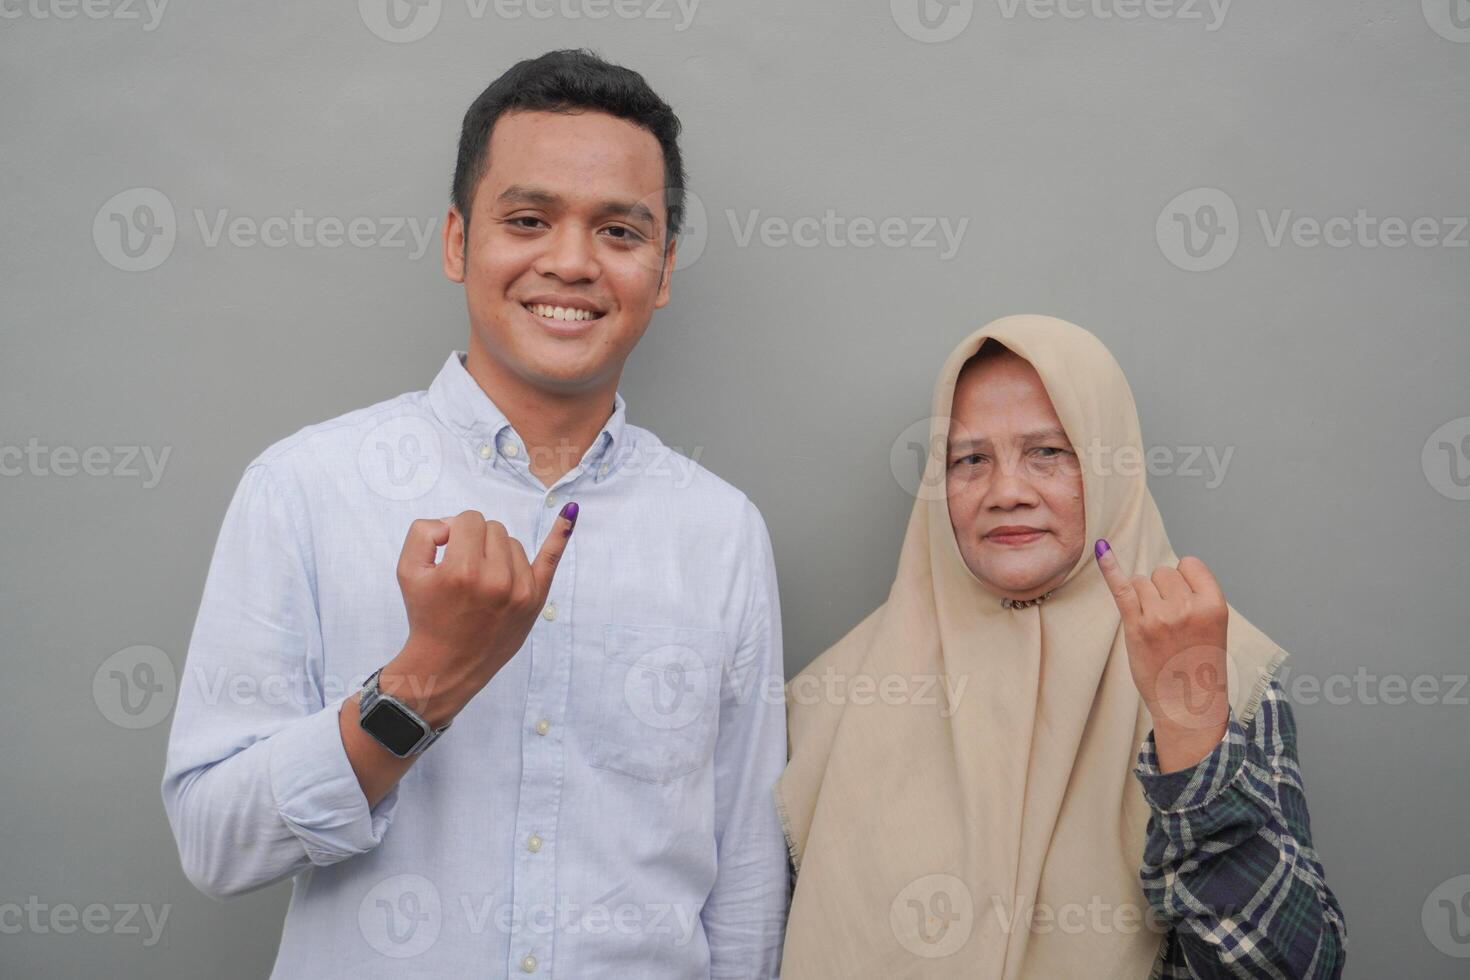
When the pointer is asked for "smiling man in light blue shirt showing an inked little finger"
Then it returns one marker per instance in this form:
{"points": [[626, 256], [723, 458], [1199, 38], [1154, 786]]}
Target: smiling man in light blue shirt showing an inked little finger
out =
{"points": [[598, 800]]}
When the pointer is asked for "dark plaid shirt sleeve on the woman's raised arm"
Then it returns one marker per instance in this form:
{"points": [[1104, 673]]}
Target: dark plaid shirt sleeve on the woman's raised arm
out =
{"points": [[1230, 865]]}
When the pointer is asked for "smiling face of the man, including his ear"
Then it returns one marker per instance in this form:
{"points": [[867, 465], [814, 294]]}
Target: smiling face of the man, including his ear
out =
{"points": [[567, 258]]}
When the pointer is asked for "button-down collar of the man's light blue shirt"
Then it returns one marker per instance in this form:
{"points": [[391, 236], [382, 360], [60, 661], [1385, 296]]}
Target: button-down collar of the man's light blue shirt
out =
{"points": [[470, 412]]}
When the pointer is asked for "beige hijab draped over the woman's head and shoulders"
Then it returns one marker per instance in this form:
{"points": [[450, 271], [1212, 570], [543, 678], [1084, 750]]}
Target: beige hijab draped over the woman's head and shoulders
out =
{"points": [[990, 831]]}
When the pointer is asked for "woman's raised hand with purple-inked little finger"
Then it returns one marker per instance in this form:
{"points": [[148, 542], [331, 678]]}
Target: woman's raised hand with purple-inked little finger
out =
{"points": [[1175, 627]]}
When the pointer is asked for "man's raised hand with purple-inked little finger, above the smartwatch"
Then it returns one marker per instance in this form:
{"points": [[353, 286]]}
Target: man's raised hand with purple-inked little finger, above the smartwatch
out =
{"points": [[470, 613]]}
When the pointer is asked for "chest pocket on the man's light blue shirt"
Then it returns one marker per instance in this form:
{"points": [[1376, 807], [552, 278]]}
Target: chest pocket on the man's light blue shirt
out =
{"points": [[659, 702]]}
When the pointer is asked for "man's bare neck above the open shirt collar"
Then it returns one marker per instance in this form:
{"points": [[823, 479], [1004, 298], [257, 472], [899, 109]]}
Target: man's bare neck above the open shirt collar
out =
{"points": [[558, 430]]}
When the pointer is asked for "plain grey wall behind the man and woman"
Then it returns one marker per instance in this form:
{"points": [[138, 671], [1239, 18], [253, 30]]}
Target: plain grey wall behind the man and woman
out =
{"points": [[1153, 173]]}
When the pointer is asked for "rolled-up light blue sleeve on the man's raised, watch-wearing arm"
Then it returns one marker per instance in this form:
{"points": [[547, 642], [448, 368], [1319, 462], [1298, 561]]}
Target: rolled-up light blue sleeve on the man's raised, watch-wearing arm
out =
{"points": [[258, 784]]}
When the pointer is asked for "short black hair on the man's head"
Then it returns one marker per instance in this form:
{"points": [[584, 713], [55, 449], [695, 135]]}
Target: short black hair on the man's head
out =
{"points": [[570, 82]]}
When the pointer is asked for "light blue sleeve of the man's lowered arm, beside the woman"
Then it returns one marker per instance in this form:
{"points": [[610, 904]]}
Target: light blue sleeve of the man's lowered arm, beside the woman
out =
{"points": [[746, 913]]}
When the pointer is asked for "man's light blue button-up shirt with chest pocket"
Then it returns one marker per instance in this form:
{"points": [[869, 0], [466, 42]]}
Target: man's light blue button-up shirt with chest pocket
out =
{"points": [[603, 809]]}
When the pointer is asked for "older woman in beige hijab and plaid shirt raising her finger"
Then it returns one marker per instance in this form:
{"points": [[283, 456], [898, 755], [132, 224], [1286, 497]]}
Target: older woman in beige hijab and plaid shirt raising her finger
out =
{"points": [[1071, 757]]}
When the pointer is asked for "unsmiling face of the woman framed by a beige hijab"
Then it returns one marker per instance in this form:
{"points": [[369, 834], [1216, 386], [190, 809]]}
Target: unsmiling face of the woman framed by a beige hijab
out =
{"points": [[1014, 481]]}
